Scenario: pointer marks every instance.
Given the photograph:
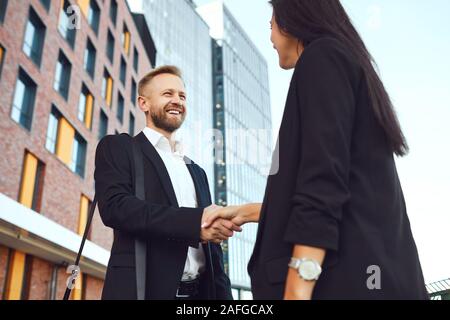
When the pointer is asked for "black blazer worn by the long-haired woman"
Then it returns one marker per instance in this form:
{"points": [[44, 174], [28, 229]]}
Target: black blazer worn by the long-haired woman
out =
{"points": [[336, 188]]}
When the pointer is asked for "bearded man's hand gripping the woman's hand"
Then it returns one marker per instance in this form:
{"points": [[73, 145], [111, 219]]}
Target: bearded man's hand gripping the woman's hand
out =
{"points": [[219, 230]]}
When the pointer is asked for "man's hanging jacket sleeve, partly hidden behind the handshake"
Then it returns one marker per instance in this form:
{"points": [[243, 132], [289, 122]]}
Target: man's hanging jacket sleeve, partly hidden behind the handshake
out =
{"points": [[221, 280]]}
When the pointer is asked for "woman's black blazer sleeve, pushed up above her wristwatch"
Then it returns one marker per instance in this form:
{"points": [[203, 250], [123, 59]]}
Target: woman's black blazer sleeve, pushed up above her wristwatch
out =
{"points": [[325, 96]]}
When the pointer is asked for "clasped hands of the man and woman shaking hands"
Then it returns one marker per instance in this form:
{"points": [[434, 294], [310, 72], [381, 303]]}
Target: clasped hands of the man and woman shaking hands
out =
{"points": [[220, 223]]}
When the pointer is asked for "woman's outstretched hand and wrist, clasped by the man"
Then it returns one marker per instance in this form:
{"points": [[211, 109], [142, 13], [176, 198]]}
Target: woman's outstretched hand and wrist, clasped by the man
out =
{"points": [[239, 215]]}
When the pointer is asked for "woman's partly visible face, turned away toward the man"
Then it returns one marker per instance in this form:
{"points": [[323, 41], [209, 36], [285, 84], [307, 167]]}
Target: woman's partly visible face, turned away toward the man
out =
{"points": [[288, 47]]}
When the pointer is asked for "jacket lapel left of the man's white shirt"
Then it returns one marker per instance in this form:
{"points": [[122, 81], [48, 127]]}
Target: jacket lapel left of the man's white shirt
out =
{"points": [[150, 152]]}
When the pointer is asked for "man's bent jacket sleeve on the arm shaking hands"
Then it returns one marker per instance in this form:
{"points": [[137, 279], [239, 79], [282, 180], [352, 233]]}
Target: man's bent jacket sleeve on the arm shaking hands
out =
{"points": [[121, 210]]}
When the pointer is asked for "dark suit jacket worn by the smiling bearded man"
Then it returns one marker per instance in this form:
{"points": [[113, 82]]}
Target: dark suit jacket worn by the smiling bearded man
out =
{"points": [[165, 228]]}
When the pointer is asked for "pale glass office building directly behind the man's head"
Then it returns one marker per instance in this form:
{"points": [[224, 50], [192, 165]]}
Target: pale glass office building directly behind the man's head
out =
{"points": [[182, 39]]}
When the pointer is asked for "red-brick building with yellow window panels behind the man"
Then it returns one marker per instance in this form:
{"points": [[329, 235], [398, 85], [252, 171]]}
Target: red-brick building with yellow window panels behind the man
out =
{"points": [[62, 89]]}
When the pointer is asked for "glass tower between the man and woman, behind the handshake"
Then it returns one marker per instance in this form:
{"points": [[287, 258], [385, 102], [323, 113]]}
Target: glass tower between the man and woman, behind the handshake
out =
{"points": [[242, 114]]}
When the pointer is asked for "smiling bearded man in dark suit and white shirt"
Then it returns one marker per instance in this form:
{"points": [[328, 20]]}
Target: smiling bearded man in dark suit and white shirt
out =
{"points": [[176, 258]]}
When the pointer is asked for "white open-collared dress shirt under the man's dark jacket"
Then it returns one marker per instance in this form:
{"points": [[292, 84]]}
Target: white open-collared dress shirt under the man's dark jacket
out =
{"points": [[184, 190]]}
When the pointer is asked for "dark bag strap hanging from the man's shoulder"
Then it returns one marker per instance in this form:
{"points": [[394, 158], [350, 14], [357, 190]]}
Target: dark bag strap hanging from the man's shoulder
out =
{"points": [[140, 246]]}
